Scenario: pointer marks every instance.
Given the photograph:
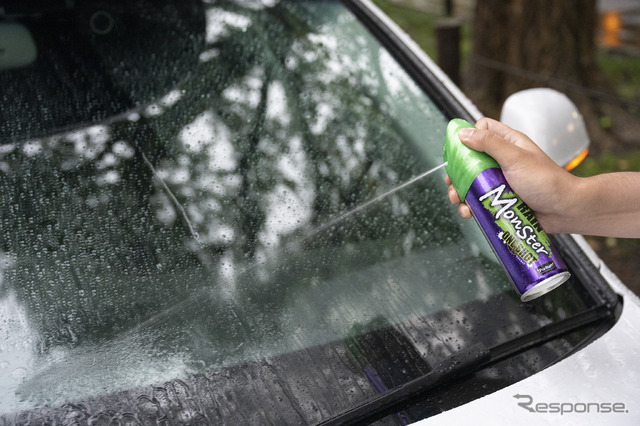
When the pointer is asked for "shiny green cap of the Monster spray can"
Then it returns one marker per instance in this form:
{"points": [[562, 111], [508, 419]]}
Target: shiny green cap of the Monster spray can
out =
{"points": [[463, 163]]}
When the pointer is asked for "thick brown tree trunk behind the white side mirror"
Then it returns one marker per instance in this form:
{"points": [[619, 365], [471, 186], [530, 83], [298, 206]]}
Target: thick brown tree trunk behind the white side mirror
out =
{"points": [[519, 44]]}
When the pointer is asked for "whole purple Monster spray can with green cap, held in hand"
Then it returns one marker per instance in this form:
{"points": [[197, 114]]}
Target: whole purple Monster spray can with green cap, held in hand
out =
{"points": [[509, 225]]}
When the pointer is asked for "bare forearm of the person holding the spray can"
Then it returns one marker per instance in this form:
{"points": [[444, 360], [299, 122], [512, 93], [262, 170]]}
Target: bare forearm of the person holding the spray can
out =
{"points": [[605, 205]]}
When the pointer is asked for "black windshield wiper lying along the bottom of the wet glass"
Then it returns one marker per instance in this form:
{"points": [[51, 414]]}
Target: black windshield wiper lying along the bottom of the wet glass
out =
{"points": [[461, 364]]}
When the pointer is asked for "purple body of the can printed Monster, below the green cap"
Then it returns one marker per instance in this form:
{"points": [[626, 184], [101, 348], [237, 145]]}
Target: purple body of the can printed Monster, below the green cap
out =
{"points": [[524, 249]]}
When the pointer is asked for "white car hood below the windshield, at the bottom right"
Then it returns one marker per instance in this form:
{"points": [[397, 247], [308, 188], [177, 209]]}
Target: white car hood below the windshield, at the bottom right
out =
{"points": [[597, 385]]}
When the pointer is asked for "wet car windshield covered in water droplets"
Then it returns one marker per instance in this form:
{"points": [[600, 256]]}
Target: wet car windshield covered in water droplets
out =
{"points": [[220, 210]]}
